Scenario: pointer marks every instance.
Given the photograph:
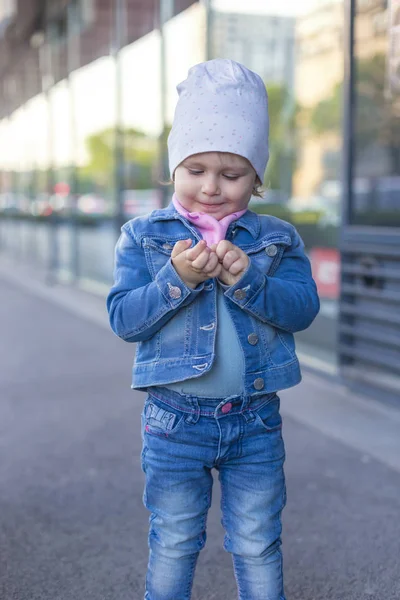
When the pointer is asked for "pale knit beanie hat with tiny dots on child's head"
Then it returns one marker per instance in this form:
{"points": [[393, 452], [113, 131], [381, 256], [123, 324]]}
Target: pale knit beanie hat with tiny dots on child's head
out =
{"points": [[222, 107]]}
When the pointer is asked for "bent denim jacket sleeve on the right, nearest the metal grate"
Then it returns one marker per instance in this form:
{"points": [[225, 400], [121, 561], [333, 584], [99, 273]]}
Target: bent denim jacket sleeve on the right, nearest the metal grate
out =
{"points": [[287, 300]]}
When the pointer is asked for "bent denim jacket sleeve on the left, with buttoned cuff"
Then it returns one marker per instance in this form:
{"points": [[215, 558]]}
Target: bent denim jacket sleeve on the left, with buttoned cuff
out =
{"points": [[137, 305]]}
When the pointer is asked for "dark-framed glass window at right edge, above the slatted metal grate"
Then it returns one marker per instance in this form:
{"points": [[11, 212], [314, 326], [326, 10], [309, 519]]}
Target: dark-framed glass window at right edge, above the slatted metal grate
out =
{"points": [[376, 172]]}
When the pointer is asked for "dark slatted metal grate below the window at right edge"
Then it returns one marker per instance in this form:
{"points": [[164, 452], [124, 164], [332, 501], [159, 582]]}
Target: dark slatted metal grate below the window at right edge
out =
{"points": [[369, 322]]}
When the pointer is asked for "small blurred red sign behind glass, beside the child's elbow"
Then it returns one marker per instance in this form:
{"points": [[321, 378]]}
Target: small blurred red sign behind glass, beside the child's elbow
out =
{"points": [[325, 264]]}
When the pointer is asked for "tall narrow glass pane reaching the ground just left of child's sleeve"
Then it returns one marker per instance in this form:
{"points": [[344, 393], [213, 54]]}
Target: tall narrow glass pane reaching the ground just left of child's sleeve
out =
{"points": [[93, 98]]}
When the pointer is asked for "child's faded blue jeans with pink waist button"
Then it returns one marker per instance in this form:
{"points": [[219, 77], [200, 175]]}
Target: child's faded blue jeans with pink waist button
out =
{"points": [[184, 438]]}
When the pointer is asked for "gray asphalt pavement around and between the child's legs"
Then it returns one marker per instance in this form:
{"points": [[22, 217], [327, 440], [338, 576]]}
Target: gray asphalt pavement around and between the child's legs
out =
{"points": [[72, 524]]}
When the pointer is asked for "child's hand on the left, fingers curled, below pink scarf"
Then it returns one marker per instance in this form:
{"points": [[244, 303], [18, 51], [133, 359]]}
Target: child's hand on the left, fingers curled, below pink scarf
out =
{"points": [[195, 265]]}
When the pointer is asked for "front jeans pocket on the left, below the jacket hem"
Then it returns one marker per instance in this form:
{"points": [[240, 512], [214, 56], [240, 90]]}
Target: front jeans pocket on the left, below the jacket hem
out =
{"points": [[161, 419]]}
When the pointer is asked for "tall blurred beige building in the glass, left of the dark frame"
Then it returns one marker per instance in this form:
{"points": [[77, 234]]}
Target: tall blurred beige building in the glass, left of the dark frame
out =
{"points": [[319, 72]]}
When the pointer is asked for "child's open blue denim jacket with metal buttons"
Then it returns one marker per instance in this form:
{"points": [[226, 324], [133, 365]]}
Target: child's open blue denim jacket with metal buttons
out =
{"points": [[175, 325]]}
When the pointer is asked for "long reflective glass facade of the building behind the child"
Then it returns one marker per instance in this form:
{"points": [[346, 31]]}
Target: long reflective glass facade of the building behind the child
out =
{"points": [[87, 109]]}
